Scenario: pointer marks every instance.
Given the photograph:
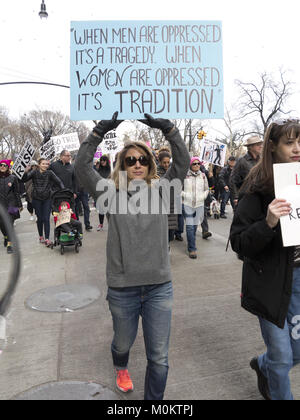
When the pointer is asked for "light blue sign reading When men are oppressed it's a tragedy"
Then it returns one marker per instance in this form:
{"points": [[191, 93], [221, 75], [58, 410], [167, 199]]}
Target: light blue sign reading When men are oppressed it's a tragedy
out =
{"points": [[173, 69]]}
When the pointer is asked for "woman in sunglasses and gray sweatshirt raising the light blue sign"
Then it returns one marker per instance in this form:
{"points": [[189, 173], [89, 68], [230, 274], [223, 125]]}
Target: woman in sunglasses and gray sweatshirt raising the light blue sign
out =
{"points": [[138, 263]]}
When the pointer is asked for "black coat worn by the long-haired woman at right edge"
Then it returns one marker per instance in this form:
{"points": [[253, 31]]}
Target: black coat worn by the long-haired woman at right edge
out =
{"points": [[268, 266]]}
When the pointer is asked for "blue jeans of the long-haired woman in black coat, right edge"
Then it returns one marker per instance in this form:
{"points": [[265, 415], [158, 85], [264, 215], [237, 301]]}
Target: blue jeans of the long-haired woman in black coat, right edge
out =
{"points": [[283, 347]]}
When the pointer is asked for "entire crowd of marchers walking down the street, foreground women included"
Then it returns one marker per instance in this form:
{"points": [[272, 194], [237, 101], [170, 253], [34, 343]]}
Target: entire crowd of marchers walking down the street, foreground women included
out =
{"points": [[138, 269]]}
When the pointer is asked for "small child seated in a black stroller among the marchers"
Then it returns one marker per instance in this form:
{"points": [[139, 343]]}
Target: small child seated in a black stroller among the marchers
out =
{"points": [[68, 230]]}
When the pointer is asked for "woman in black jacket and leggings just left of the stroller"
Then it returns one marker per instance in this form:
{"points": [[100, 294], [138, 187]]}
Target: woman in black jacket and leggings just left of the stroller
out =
{"points": [[43, 180]]}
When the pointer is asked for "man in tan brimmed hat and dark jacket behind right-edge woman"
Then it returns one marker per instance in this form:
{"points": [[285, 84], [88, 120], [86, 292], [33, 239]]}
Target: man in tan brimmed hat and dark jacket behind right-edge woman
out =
{"points": [[244, 164]]}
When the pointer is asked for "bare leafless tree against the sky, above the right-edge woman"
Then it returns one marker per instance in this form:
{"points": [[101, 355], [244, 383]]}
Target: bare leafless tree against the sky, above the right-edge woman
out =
{"points": [[266, 99]]}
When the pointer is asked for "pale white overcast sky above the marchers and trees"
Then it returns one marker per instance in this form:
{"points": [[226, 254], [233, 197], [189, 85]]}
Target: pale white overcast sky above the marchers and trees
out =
{"points": [[258, 35]]}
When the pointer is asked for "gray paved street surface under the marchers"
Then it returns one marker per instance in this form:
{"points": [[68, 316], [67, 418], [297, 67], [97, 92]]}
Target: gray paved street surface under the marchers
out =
{"points": [[212, 338]]}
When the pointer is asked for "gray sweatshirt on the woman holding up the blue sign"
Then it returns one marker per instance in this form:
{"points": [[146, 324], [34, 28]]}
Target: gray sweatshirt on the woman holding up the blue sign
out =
{"points": [[137, 244]]}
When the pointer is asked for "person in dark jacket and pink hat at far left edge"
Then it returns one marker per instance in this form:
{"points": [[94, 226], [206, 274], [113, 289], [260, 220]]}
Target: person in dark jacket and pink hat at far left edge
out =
{"points": [[9, 198]]}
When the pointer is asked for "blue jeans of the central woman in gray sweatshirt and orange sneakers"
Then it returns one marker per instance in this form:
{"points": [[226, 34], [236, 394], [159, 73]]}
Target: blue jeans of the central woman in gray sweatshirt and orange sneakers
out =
{"points": [[154, 304]]}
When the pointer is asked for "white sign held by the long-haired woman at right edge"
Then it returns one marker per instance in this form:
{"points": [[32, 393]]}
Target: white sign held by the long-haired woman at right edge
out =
{"points": [[287, 186]]}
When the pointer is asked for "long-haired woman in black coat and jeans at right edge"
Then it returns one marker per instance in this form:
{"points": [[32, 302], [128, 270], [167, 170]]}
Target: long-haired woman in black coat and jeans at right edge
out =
{"points": [[271, 272]]}
